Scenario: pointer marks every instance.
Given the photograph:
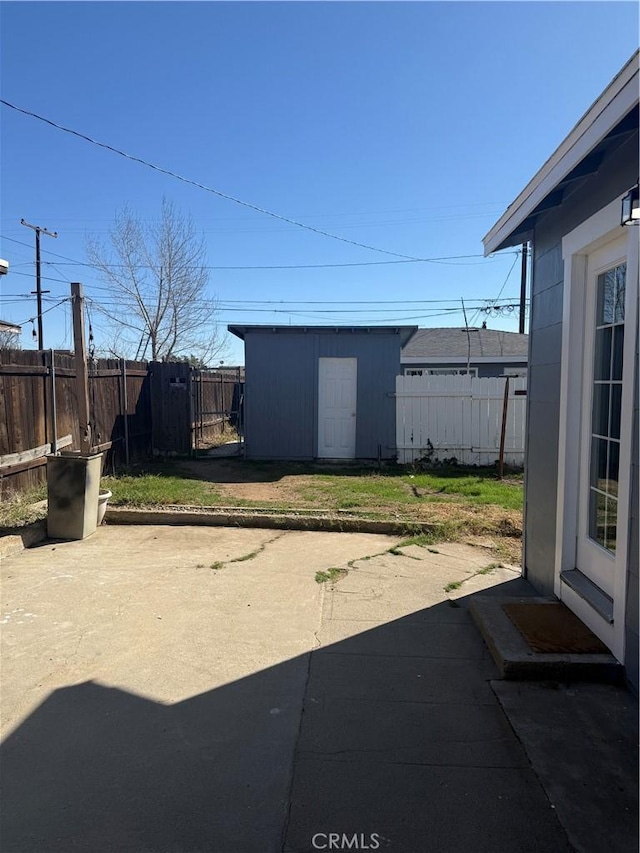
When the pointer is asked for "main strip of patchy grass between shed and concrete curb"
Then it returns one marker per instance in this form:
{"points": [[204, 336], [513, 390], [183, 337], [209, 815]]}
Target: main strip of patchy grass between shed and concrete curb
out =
{"points": [[236, 483]]}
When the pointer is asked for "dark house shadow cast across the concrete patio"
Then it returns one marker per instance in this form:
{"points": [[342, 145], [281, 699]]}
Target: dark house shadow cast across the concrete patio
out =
{"points": [[400, 736]]}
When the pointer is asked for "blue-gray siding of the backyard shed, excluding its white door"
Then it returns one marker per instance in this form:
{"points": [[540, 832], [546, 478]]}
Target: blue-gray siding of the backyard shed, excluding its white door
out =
{"points": [[281, 392]]}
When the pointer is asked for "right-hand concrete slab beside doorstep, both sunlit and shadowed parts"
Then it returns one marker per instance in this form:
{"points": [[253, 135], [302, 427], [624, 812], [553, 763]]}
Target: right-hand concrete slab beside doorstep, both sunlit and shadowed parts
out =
{"points": [[402, 736]]}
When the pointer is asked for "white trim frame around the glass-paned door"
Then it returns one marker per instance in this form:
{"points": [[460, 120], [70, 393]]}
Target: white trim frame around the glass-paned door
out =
{"points": [[595, 232]]}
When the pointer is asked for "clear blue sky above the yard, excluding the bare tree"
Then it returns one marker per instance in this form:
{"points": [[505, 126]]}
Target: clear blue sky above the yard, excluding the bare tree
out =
{"points": [[405, 126]]}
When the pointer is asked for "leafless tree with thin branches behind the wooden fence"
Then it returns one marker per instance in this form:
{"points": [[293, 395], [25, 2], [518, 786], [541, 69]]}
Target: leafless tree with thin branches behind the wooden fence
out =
{"points": [[159, 286]]}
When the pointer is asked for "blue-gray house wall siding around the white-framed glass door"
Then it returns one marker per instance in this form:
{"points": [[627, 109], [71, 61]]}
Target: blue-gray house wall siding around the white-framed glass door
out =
{"points": [[613, 178]]}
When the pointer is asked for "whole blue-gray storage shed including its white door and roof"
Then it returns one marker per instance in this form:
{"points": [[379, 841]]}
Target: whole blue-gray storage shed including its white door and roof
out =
{"points": [[321, 392]]}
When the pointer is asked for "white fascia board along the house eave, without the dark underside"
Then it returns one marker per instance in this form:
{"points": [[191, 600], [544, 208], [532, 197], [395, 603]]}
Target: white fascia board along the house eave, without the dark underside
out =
{"points": [[615, 102]]}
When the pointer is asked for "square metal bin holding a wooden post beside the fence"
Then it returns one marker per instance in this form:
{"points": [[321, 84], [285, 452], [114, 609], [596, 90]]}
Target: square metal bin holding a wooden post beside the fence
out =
{"points": [[73, 485]]}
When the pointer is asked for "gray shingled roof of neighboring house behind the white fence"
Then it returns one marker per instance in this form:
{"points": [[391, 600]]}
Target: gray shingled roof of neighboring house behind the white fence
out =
{"points": [[454, 343]]}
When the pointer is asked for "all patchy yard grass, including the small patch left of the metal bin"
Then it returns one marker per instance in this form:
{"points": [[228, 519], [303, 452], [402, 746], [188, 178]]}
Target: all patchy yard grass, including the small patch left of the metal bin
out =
{"points": [[463, 502]]}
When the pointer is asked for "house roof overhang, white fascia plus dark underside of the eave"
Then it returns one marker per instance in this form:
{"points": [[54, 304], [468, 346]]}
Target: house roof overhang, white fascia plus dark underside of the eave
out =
{"points": [[607, 124]]}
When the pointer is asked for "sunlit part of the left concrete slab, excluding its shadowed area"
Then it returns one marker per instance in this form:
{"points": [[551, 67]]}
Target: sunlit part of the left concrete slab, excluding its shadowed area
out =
{"points": [[141, 608]]}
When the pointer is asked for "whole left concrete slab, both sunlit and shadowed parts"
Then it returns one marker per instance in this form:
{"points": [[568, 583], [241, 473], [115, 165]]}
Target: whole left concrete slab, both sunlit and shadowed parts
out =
{"points": [[151, 702]]}
